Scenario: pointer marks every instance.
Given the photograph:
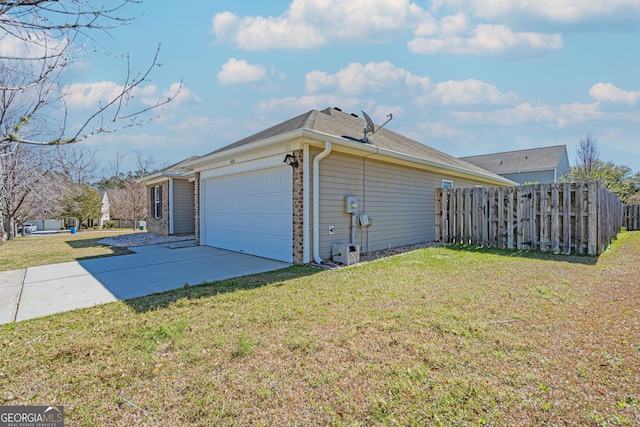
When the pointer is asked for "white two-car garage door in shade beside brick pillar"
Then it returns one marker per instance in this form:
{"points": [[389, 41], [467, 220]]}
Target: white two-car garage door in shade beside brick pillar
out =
{"points": [[251, 213]]}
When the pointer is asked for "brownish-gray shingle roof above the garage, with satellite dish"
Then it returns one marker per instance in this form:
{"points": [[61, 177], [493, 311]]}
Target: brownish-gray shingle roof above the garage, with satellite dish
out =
{"points": [[333, 121]]}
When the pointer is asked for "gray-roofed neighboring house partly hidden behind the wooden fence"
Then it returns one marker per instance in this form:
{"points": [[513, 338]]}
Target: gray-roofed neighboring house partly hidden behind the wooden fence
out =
{"points": [[542, 165]]}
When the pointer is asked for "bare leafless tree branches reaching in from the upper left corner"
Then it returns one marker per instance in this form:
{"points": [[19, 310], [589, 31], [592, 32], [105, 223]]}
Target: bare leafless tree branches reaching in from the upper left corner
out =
{"points": [[39, 40]]}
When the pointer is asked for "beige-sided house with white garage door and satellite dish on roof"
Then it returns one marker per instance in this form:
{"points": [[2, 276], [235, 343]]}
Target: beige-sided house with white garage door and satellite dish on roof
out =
{"points": [[287, 192]]}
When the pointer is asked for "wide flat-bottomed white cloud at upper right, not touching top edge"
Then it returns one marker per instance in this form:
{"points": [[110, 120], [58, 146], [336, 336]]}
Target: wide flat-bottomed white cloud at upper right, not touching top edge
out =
{"points": [[487, 39]]}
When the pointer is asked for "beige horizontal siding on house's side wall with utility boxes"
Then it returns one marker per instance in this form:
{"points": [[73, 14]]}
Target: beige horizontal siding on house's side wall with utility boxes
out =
{"points": [[400, 202]]}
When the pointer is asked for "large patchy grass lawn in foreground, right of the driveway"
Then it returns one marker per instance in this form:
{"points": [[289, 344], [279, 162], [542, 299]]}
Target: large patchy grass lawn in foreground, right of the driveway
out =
{"points": [[441, 336]]}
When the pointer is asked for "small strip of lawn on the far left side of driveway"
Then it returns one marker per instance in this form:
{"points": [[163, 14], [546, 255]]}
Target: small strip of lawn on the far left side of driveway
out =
{"points": [[33, 250]]}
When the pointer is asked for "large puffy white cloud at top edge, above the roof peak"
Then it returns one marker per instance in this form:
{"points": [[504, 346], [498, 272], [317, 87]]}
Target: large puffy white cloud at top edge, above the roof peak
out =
{"points": [[313, 23]]}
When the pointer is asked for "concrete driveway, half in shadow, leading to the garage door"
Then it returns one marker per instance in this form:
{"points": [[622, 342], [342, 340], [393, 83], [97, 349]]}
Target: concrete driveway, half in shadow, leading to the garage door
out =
{"points": [[40, 291]]}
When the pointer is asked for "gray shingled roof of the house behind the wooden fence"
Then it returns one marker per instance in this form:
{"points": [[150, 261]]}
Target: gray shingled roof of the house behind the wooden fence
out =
{"points": [[545, 158]]}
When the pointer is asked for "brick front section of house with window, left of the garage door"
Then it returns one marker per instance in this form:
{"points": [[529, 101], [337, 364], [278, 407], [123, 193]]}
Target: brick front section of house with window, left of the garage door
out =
{"points": [[171, 193]]}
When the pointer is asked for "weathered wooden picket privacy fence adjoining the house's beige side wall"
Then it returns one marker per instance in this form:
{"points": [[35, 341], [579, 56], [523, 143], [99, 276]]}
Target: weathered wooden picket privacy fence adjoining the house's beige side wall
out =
{"points": [[571, 218]]}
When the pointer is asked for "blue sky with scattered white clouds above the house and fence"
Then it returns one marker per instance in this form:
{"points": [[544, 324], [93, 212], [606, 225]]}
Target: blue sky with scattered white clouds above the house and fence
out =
{"points": [[466, 77]]}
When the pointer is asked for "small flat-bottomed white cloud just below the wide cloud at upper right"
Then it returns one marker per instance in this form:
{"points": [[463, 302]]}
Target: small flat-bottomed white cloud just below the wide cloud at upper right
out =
{"points": [[467, 92]]}
